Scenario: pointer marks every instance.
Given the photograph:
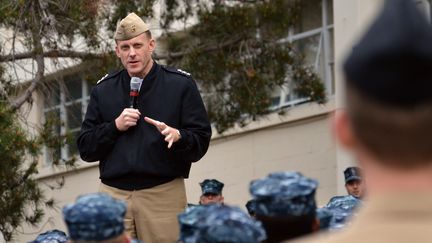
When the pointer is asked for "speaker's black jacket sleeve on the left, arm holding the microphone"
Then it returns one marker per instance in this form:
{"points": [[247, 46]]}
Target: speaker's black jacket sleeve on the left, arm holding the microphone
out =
{"points": [[97, 137]]}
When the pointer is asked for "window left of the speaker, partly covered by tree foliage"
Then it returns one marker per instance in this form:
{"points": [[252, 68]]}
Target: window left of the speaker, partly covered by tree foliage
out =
{"points": [[66, 103]]}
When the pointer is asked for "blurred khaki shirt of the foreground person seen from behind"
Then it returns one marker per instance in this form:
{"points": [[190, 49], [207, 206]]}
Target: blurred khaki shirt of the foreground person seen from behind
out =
{"points": [[396, 218]]}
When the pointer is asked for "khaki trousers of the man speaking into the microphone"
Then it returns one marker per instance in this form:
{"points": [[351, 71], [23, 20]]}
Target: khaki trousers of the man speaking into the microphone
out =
{"points": [[152, 213]]}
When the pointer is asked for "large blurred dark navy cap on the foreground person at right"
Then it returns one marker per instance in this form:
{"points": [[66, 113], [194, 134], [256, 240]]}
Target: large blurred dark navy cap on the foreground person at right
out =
{"points": [[391, 63]]}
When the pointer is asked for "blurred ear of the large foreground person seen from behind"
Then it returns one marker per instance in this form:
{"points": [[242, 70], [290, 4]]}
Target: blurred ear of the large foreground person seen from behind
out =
{"points": [[342, 129]]}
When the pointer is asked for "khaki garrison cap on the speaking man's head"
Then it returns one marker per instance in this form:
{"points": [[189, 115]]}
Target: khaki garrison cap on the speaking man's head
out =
{"points": [[130, 27]]}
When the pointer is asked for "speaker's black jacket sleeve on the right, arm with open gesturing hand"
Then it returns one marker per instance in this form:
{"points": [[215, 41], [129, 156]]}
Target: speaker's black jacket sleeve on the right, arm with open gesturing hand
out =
{"points": [[194, 127]]}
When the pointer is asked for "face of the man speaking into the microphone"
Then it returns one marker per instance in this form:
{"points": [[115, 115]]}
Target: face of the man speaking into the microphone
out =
{"points": [[135, 54]]}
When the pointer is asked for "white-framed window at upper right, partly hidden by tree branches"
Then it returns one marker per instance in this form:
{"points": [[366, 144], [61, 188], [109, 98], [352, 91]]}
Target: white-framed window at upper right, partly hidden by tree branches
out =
{"points": [[313, 37]]}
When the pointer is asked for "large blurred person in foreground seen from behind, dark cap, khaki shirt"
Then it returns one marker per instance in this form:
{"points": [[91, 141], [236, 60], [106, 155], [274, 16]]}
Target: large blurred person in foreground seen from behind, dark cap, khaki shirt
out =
{"points": [[387, 127]]}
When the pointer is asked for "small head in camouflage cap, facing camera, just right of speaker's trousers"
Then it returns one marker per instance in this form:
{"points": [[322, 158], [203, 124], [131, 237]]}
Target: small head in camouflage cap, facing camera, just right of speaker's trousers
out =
{"points": [[211, 191]]}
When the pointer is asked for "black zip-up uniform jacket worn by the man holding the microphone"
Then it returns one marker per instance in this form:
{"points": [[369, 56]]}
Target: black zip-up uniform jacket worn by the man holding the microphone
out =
{"points": [[139, 158]]}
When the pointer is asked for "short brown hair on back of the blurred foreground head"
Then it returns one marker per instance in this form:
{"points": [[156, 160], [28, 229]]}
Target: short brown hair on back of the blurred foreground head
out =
{"points": [[398, 136]]}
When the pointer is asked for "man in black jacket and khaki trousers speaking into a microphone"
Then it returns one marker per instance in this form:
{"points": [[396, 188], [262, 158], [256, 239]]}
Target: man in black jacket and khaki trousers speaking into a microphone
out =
{"points": [[145, 150]]}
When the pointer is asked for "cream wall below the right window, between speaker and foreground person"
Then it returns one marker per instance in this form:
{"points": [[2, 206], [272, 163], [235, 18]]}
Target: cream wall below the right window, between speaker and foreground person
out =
{"points": [[304, 145]]}
